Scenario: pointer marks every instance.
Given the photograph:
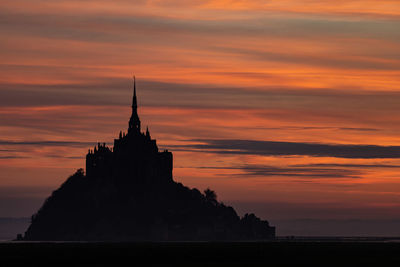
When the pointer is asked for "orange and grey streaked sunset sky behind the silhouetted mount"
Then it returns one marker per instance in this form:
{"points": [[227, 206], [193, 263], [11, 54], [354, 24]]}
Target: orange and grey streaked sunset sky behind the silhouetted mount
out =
{"points": [[289, 109]]}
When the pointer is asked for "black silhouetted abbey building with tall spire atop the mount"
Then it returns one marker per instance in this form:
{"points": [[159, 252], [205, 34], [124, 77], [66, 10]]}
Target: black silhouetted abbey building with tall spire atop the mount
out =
{"points": [[135, 158]]}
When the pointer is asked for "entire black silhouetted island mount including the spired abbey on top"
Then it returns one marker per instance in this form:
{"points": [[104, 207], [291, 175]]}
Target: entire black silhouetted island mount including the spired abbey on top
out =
{"points": [[128, 193]]}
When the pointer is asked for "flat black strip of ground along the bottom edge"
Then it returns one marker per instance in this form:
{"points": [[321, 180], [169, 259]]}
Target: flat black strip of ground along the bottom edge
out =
{"points": [[201, 254]]}
